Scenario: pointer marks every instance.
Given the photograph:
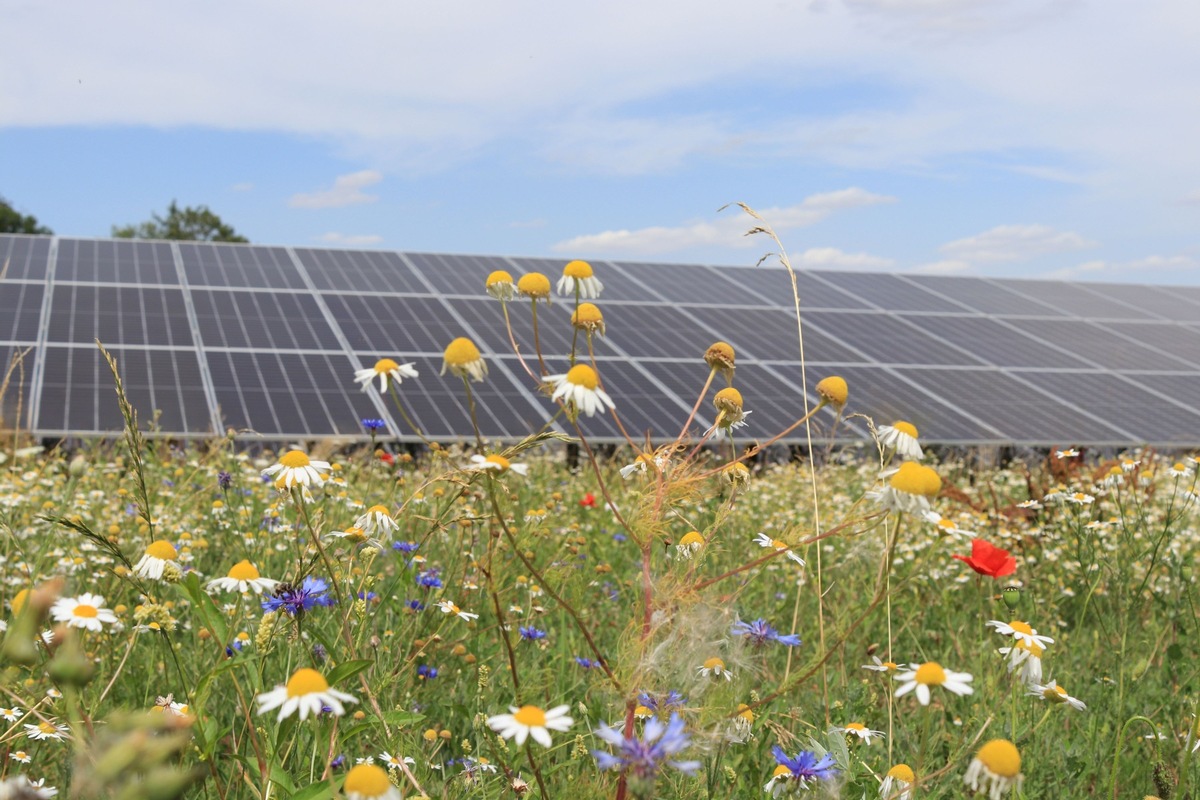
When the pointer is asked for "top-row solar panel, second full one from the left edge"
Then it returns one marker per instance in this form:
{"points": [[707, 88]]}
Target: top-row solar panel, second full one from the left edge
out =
{"points": [[239, 267]]}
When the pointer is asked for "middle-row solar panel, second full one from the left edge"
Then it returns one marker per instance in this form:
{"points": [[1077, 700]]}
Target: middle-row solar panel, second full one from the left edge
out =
{"points": [[281, 321]]}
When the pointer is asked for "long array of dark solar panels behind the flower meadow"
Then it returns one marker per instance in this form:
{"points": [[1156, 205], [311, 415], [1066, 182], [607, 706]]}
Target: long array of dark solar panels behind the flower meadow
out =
{"points": [[266, 341]]}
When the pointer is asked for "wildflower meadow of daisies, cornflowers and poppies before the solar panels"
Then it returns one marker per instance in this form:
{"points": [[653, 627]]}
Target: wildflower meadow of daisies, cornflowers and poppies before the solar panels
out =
{"points": [[681, 618]]}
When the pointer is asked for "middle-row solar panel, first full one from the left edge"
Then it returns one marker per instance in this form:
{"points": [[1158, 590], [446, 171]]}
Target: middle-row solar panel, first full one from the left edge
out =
{"points": [[118, 316]]}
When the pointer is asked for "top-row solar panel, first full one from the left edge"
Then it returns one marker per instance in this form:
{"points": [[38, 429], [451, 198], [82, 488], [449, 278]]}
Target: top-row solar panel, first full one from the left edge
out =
{"points": [[116, 261]]}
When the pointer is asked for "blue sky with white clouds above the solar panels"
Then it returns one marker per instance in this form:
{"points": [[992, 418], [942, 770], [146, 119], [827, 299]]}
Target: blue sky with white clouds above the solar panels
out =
{"points": [[1005, 139]]}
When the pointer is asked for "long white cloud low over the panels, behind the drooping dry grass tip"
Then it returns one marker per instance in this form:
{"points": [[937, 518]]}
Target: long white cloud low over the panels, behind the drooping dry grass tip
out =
{"points": [[728, 231]]}
